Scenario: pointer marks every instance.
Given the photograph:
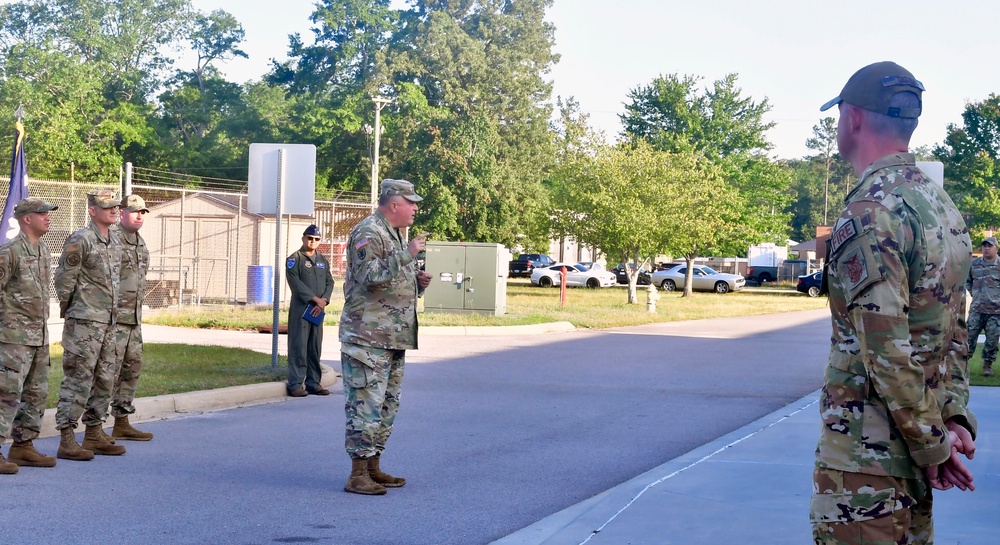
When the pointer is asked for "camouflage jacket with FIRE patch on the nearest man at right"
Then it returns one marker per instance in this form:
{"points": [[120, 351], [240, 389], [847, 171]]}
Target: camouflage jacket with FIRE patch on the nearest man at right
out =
{"points": [[899, 257]]}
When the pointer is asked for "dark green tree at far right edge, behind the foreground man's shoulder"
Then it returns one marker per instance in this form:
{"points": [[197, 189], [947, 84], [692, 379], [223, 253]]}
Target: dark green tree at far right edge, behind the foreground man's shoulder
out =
{"points": [[971, 168]]}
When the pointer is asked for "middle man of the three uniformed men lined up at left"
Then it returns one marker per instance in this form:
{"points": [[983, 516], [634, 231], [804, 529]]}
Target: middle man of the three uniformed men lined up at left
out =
{"points": [[87, 283]]}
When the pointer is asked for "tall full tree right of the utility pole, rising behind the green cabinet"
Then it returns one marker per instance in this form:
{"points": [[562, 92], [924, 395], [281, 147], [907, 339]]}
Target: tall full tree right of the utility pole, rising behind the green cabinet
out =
{"points": [[482, 145]]}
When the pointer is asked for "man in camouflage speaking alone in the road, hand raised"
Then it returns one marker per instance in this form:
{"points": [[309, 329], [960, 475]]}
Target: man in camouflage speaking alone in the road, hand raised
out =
{"points": [[378, 325]]}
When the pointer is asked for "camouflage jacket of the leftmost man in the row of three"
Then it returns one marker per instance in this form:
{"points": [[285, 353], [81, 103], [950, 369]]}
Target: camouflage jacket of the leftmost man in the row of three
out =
{"points": [[24, 292]]}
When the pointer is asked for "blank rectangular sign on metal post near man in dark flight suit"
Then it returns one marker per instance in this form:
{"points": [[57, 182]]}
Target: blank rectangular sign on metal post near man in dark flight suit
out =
{"points": [[299, 179]]}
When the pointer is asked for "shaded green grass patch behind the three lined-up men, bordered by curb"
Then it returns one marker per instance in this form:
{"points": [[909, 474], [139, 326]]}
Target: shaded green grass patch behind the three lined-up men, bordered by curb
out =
{"points": [[178, 368]]}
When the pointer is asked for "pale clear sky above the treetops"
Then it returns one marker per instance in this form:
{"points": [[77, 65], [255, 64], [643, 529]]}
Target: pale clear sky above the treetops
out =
{"points": [[796, 53]]}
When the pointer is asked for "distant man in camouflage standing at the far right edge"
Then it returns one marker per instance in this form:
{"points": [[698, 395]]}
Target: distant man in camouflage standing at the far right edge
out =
{"points": [[984, 313]]}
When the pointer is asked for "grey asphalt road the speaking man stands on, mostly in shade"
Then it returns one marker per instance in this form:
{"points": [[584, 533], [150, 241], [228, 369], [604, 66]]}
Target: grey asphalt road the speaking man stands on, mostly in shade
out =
{"points": [[494, 434]]}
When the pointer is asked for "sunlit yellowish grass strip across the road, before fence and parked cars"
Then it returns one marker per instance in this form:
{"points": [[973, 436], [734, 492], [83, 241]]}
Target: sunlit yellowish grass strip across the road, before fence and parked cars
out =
{"points": [[527, 304]]}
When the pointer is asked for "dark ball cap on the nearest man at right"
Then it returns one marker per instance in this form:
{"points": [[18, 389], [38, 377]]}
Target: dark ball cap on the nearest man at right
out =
{"points": [[873, 87]]}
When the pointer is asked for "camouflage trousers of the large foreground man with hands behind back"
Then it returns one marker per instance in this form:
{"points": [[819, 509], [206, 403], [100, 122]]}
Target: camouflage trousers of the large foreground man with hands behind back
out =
{"points": [[858, 509]]}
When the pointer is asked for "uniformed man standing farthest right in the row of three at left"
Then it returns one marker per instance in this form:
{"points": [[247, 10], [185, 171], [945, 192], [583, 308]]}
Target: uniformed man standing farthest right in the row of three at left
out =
{"points": [[128, 319]]}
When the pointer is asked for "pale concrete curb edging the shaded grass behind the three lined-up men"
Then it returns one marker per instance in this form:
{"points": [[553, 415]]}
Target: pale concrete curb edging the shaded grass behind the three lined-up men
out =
{"points": [[167, 406]]}
